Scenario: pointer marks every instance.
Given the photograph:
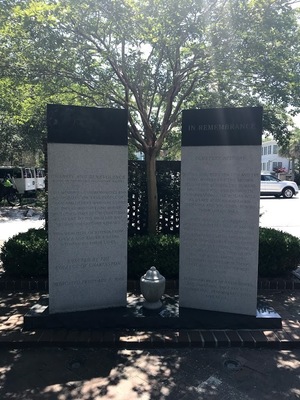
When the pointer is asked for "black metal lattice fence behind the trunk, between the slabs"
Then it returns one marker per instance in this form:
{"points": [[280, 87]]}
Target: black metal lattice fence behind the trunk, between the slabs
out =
{"points": [[168, 187]]}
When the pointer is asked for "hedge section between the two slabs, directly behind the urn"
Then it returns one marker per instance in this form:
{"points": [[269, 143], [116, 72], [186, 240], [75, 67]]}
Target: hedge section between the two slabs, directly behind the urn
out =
{"points": [[162, 251]]}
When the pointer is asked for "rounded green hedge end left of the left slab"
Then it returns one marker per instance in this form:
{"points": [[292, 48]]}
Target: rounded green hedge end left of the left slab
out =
{"points": [[26, 254]]}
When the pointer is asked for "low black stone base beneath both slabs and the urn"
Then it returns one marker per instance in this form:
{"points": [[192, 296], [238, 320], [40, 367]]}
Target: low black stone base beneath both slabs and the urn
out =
{"points": [[135, 316]]}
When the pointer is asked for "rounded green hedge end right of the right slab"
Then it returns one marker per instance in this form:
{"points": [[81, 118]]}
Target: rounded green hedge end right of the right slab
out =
{"points": [[279, 252]]}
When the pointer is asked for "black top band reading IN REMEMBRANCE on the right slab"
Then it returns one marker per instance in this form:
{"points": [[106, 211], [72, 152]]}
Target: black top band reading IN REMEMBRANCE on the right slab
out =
{"points": [[222, 127]]}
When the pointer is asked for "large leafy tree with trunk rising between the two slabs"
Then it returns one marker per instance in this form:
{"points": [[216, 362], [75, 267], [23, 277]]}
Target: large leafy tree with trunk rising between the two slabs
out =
{"points": [[155, 57]]}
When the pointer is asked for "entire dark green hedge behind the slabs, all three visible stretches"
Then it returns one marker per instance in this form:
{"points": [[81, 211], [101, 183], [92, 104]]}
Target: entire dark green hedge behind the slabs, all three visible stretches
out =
{"points": [[26, 254]]}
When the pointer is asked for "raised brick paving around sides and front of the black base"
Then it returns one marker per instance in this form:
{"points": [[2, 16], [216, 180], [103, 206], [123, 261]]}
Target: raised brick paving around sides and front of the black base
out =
{"points": [[14, 304]]}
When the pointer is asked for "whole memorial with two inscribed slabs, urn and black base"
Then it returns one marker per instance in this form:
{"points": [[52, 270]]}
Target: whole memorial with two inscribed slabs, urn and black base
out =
{"points": [[87, 226]]}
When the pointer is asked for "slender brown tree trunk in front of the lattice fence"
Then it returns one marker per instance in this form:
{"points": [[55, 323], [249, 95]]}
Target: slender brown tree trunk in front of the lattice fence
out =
{"points": [[150, 158]]}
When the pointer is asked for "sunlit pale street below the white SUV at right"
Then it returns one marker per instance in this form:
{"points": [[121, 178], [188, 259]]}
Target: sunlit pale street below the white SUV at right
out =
{"points": [[282, 214]]}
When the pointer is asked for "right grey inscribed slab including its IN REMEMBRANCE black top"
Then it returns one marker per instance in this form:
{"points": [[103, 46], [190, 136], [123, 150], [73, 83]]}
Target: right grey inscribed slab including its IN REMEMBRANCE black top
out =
{"points": [[219, 209]]}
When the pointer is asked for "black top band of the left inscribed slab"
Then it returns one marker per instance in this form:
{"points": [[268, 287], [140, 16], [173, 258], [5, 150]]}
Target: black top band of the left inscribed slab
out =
{"points": [[86, 125]]}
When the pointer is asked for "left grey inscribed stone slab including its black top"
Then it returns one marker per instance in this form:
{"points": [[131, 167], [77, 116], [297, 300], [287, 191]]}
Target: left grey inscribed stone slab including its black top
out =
{"points": [[87, 206]]}
